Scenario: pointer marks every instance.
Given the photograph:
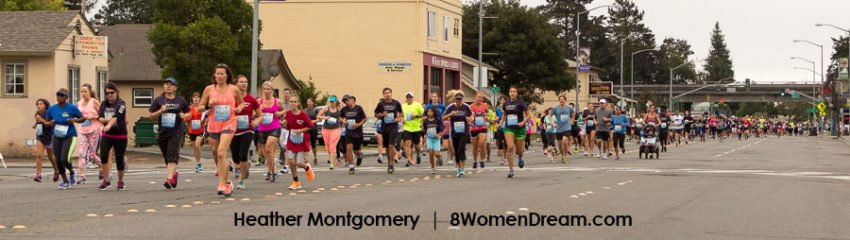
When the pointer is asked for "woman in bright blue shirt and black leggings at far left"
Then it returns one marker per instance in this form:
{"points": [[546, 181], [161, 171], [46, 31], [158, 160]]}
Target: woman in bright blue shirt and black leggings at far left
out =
{"points": [[62, 117]]}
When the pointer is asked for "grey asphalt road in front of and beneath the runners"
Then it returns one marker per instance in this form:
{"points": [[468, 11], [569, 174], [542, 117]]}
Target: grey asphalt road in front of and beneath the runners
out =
{"points": [[786, 188]]}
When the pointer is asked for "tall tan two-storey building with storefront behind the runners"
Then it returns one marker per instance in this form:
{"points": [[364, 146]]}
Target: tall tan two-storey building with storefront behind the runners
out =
{"points": [[359, 47]]}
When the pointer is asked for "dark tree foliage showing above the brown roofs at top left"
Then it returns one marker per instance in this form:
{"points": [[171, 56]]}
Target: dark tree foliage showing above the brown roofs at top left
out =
{"points": [[127, 12]]}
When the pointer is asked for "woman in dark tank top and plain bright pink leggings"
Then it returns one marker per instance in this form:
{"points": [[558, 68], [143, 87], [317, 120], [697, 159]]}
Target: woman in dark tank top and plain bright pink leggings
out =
{"points": [[330, 114]]}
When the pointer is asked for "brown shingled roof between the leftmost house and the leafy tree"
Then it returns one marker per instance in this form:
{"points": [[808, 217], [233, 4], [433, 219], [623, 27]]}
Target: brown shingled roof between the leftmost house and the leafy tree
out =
{"points": [[133, 59]]}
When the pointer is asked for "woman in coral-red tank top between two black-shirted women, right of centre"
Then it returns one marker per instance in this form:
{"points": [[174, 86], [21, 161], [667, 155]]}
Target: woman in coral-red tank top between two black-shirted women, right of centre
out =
{"points": [[478, 129]]}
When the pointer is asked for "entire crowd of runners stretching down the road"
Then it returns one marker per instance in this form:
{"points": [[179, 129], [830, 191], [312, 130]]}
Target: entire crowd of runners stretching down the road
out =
{"points": [[285, 133]]}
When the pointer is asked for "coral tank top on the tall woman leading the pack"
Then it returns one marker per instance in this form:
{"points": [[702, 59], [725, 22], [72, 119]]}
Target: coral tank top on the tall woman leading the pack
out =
{"points": [[223, 112]]}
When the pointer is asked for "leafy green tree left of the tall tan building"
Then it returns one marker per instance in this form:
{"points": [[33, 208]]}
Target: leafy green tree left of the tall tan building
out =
{"points": [[190, 37]]}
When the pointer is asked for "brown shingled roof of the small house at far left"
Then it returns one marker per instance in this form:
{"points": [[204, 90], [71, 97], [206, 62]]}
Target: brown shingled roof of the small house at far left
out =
{"points": [[34, 32]]}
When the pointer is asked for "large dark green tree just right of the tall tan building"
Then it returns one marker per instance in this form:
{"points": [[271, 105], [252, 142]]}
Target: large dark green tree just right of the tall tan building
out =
{"points": [[529, 52]]}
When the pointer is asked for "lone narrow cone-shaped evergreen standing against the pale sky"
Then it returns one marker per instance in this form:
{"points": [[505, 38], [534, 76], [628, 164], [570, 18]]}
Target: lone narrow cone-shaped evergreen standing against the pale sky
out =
{"points": [[718, 65]]}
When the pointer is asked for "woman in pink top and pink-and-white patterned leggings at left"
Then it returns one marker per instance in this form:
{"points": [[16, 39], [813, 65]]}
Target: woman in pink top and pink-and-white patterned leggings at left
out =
{"points": [[88, 135]]}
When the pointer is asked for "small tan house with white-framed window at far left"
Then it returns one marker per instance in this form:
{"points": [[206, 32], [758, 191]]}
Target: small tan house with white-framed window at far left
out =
{"points": [[37, 58]]}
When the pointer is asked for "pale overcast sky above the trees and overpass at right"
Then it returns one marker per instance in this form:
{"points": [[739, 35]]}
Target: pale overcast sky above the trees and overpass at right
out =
{"points": [[759, 33]]}
